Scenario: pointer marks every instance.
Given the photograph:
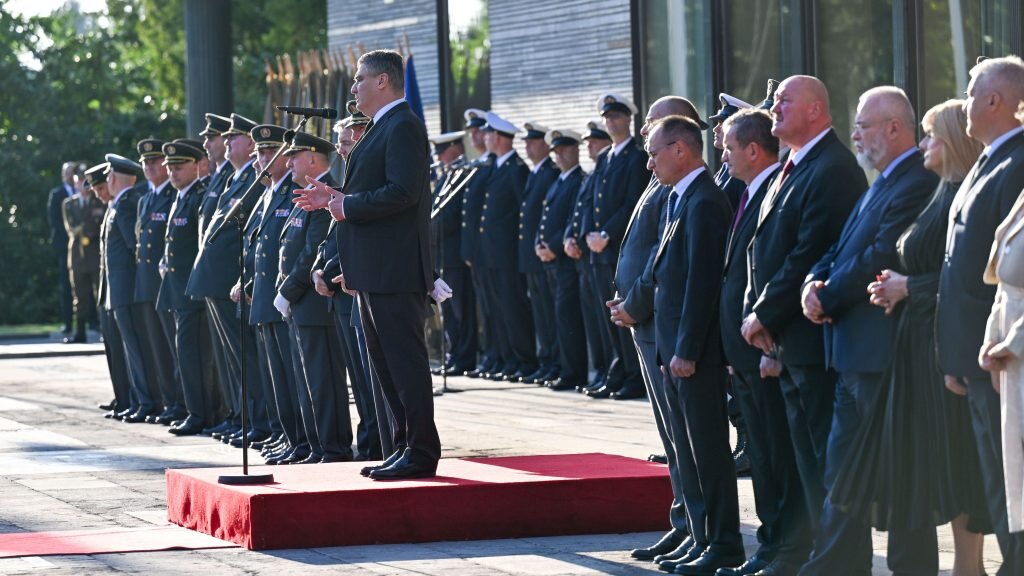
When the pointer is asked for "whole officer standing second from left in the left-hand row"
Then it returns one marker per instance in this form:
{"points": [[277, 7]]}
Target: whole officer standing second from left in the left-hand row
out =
{"points": [[118, 245]]}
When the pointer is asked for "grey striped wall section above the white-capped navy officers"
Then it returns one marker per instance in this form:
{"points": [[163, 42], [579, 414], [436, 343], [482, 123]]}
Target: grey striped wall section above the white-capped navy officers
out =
{"points": [[550, 62]]}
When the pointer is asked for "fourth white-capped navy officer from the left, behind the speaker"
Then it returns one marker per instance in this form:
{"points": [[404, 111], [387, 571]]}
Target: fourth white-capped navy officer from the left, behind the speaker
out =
{"points": [[542, 294]]}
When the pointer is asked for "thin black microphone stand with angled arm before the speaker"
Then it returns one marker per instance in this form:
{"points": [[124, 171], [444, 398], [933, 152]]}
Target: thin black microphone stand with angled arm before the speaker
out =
{"points": [[237, 214]]}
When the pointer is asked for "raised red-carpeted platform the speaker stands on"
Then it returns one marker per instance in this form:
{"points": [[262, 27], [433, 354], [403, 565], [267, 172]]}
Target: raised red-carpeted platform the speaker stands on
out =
{"points": [[471, 500]]}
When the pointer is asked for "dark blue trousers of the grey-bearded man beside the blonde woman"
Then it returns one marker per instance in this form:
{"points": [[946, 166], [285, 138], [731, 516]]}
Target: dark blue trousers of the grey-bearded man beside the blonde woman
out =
{"points": [[844, 544]]}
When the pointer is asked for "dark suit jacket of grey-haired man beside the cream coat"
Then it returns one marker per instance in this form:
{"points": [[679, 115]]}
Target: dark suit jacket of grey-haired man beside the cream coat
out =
{"points": [[965, 302]]}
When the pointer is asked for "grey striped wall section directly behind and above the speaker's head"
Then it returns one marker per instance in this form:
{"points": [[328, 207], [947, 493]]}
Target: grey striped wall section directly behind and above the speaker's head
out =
{"points": [[379, 24]]}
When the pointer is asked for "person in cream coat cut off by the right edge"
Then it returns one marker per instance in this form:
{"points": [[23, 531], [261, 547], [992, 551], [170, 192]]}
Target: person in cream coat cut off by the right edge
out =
{"points": [[1003, 353]]}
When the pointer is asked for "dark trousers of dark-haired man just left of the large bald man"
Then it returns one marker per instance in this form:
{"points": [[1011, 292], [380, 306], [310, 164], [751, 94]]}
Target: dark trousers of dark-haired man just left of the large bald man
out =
{"points": [[779, 499]]}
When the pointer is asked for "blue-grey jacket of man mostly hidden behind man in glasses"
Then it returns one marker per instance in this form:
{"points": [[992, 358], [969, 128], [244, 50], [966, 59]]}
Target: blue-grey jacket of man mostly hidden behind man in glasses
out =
{"points": [[639, 246]]}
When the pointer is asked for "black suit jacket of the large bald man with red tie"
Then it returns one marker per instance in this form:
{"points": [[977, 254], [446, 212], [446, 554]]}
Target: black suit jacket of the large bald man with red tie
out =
{"points": [[798, 224]]}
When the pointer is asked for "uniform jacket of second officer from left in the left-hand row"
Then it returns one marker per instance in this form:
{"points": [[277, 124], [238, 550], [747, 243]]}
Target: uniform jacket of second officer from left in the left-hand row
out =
{"points": [[119, 249]]}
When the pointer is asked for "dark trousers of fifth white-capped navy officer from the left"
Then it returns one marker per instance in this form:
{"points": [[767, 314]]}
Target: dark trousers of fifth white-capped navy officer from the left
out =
{"points": [[565, 279]]}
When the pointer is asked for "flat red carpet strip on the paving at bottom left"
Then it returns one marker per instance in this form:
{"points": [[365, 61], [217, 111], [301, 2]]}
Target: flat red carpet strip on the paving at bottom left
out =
{"points": [[102, 542]]}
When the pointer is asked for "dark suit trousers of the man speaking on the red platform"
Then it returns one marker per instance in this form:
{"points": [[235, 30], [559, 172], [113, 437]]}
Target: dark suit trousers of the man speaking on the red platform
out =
{"points": [[393, 325]]}
